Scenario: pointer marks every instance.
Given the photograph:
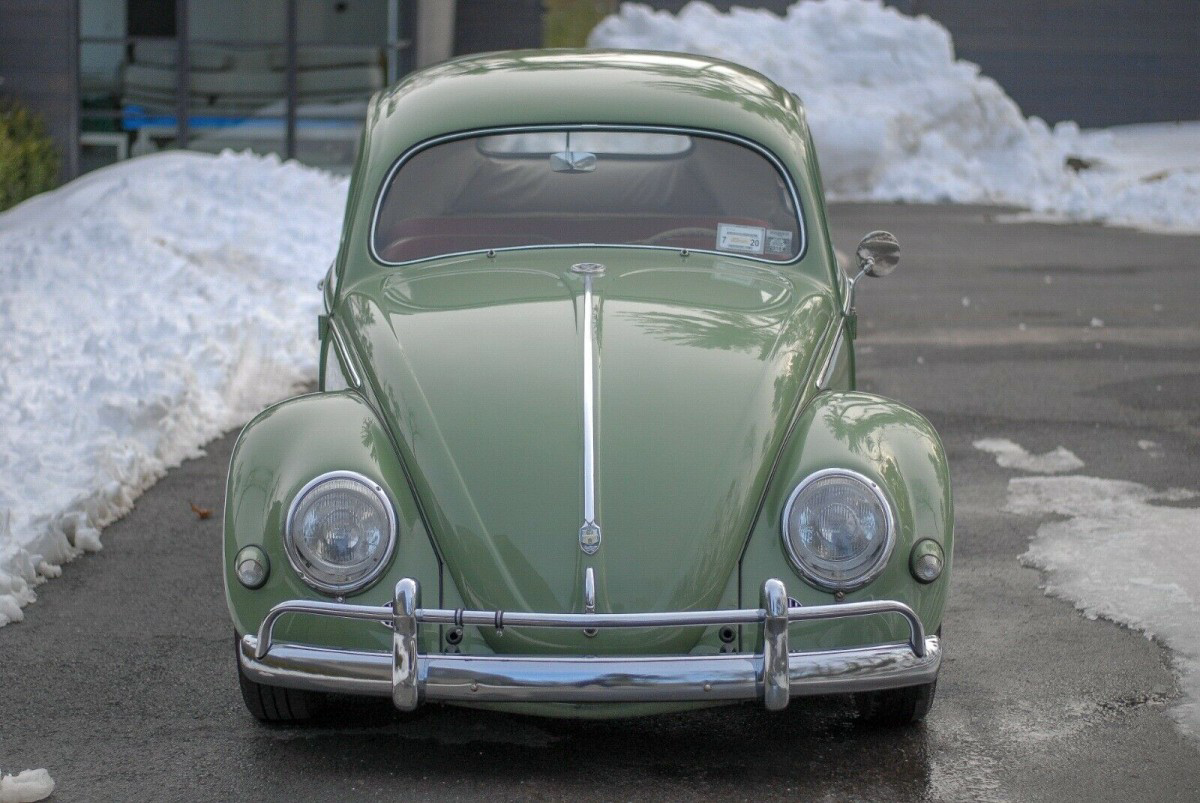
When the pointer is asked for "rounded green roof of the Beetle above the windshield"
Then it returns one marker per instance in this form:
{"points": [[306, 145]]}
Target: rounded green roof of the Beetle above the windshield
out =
{"points": [[519, 88]]}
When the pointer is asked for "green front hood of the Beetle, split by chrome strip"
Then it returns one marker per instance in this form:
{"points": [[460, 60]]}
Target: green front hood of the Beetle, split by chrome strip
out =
{"points": [[478, 364]]}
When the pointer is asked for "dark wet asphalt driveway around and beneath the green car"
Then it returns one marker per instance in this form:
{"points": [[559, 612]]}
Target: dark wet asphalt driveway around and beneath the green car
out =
{"points": [[122, 680]]}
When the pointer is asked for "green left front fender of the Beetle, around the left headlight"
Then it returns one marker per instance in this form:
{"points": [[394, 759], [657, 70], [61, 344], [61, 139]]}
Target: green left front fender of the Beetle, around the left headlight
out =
{"points": [[277, 454]]}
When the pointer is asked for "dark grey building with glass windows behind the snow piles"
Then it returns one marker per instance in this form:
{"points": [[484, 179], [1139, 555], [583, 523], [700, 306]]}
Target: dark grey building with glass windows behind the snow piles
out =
{"points": [[1100, 63]]}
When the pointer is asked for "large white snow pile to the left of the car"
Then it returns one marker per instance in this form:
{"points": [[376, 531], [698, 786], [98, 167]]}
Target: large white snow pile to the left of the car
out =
{"points": [[146, 309]]}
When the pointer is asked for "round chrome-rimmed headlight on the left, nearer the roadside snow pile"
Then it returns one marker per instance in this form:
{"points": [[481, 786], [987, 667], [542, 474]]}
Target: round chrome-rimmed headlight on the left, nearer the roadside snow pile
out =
{"points": [[340, 532]]}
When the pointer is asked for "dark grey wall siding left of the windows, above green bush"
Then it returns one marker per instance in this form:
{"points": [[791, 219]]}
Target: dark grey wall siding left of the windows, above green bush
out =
{"points": [[40, 67]]}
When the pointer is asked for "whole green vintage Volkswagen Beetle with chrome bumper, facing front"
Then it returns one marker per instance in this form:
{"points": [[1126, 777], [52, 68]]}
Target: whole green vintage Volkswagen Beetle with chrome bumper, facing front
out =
{"points": [[587, 441]]}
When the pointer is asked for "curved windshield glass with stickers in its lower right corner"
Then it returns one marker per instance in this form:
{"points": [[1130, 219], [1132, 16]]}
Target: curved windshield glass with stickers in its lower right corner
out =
{"points": [[587, 188]]}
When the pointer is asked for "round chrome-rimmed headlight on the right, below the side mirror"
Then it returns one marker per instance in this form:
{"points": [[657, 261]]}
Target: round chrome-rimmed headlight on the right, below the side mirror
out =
{"points": [[839, 530]]}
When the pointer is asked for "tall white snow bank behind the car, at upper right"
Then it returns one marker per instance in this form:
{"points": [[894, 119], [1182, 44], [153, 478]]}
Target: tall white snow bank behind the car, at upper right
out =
{"points": [[897, 118]]}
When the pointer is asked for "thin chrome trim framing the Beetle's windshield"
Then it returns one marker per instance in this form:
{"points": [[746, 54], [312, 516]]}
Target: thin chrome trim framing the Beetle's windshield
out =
{"points": [[533, 129]]}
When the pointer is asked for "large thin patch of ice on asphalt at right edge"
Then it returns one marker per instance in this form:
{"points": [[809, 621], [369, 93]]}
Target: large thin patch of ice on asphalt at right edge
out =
{"points": [[1123, 555]]}
